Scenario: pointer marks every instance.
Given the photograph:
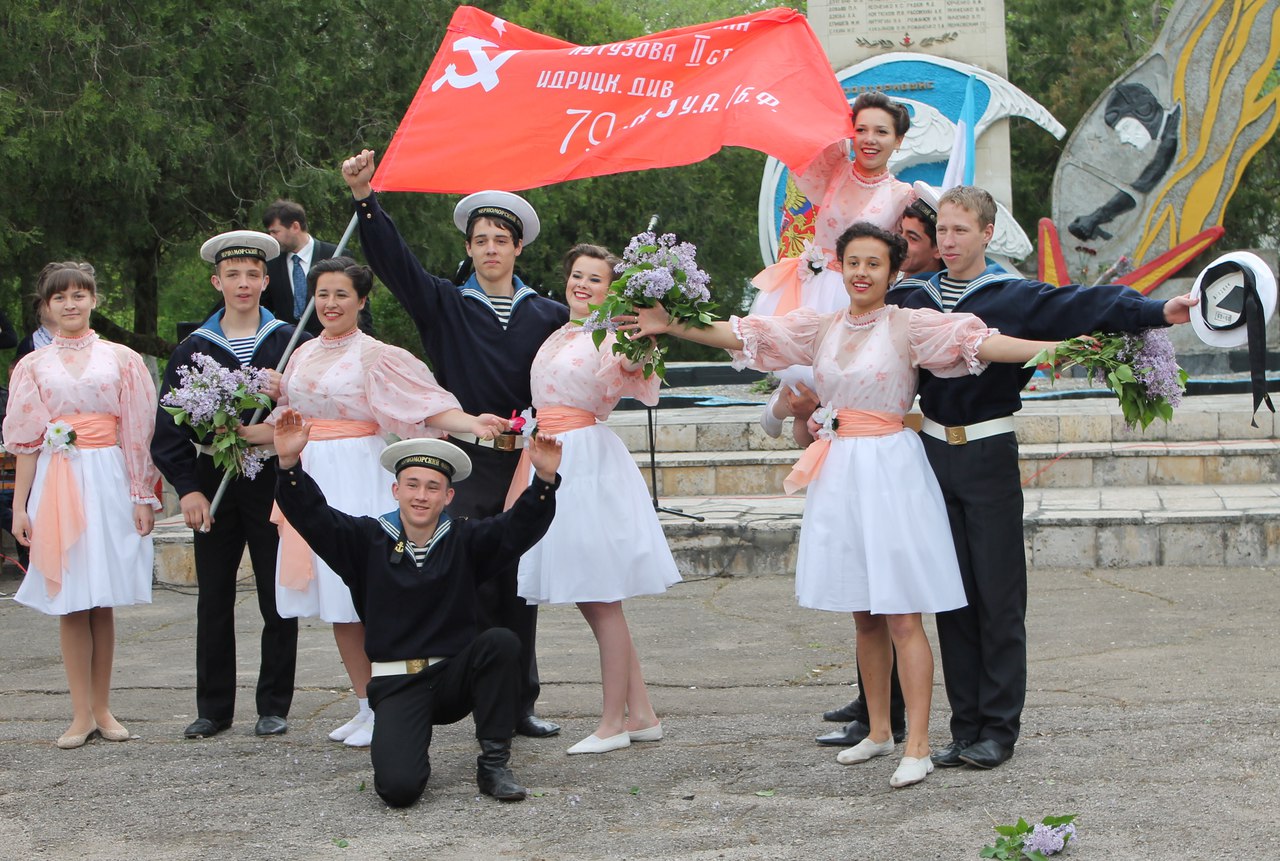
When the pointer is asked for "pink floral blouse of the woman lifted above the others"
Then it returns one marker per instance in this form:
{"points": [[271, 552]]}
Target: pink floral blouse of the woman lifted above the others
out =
{"points": [[845, 196]]}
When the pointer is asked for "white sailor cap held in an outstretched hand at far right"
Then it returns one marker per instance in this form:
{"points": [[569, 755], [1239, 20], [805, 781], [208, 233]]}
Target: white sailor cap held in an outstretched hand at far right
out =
{"points": [[1224, 290]]}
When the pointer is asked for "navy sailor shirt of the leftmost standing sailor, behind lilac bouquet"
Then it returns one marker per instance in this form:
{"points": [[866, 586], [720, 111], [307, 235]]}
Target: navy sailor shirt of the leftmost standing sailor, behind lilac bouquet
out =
{"points": [[173, 446]]}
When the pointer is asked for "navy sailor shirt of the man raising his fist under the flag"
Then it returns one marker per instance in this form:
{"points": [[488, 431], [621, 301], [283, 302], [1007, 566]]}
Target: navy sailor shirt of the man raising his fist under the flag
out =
{"points": [[483, 364]]}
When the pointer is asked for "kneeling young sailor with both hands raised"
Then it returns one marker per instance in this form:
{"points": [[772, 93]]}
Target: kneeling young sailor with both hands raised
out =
{"points": [[414, 576]]}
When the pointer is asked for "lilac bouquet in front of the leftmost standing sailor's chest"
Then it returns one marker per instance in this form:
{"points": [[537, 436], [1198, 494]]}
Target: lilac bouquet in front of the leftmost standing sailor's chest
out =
{"points": [[209, 399]]}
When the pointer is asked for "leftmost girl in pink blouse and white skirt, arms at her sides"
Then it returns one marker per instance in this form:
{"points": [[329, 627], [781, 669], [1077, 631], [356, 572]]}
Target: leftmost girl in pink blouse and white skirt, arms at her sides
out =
{"points": [[85, 505]]}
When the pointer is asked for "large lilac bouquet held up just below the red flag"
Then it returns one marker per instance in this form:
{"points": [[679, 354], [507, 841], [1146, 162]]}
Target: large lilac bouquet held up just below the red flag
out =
{"points": [[653, 269]]}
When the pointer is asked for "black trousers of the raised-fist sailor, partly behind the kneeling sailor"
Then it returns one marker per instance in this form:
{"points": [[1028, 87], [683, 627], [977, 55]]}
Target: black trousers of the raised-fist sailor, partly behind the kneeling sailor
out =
{"points": [[484, 496]]}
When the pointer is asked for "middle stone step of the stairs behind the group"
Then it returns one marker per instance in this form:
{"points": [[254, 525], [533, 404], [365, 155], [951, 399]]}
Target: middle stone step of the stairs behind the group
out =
{"points": [[1055, 465]]}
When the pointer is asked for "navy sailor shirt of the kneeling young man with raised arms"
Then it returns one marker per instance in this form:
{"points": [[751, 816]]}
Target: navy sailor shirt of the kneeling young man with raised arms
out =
{"points": [[412, 612]]}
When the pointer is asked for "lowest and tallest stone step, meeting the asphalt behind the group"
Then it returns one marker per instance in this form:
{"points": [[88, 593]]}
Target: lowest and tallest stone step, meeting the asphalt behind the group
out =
{"points": [[1101, 528]]}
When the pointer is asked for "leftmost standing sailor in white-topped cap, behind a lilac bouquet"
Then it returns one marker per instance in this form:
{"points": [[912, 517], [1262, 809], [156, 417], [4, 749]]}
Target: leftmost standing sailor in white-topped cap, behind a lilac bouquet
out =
{"points": [[239, 335]]}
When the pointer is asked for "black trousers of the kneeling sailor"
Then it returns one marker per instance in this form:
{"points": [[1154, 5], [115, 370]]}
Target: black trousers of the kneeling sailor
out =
{"points": [[481, 680]]}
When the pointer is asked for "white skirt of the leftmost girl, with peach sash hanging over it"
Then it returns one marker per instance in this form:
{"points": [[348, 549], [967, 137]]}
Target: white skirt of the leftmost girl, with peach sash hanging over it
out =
{"points": [[111, 565]]}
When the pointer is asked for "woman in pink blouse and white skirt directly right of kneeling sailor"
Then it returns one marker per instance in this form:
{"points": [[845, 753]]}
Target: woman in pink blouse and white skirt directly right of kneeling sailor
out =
{"points": [[606, 543]]}
